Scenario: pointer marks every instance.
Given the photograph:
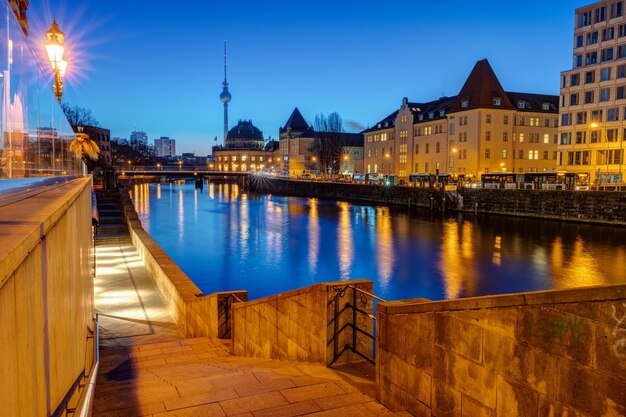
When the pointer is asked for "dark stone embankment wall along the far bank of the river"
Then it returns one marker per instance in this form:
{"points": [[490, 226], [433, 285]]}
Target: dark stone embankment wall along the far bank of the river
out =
{"points": [[604, 207]]}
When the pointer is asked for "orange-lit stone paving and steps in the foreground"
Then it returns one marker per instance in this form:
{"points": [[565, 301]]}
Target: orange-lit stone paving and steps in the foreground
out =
{"points": [[200, 377]]}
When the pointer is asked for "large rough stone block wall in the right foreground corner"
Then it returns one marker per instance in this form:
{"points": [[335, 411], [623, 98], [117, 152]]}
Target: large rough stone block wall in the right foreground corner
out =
{"points": [[549, 353]]}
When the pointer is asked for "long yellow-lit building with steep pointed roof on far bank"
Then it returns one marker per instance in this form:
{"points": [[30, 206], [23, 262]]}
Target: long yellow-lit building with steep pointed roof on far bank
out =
{"points": [[481, 130]]}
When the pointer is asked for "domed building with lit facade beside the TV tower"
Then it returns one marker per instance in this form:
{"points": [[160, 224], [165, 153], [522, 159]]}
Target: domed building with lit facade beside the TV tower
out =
{"points": [[245, 150]]}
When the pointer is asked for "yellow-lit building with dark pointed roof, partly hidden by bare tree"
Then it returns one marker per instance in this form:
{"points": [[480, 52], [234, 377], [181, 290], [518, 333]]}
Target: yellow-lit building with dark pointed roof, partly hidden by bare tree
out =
{"points": [[297, 138]]}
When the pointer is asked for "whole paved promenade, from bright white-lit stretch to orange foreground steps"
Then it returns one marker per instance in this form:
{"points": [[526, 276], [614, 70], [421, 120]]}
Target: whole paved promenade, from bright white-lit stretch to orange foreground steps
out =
{"points": [[148, 369]]}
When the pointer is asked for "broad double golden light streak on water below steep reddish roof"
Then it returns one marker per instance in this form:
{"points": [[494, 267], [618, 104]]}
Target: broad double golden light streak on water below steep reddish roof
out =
{"points": [[457, 259]]}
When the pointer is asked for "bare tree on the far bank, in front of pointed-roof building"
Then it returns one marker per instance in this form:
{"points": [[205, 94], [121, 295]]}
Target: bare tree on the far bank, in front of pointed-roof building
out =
{"points": [[328, 146]]}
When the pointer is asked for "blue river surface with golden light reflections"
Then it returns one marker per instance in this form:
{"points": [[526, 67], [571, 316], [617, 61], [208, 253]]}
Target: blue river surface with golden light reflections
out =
{"points": [[228, 240]]}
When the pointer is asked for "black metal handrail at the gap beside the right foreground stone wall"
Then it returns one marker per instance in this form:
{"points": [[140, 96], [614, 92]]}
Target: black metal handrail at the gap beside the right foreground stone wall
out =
{"points": [[353, 347]]}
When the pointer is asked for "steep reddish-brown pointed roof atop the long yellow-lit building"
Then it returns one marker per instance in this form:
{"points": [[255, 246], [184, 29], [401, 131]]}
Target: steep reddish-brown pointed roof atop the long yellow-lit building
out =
{"points": [[480, 90]]}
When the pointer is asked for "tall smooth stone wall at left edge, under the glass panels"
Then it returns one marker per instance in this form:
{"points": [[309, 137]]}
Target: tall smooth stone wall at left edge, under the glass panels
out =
{"points": [[47, 347]]}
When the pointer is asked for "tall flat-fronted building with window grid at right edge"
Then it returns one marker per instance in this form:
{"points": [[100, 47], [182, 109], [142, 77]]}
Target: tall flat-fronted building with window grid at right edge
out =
{"points": [[593, 96]]}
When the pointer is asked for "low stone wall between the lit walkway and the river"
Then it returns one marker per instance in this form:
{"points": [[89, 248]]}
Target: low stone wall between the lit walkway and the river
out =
{"points": [[197, 315]]}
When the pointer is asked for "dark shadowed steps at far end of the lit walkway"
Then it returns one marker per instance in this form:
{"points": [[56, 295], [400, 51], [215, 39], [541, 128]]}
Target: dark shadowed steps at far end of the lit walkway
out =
{"points": [[113, 227]]}
